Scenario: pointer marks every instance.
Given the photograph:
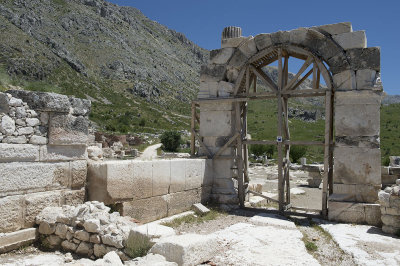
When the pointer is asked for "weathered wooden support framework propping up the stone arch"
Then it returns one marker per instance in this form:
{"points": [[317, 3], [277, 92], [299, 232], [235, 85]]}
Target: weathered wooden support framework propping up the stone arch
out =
{"points": [[246, 90]]}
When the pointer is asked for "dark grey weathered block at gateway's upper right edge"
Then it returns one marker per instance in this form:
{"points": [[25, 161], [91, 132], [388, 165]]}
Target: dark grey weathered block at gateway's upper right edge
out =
{"points": [[365, 58]]}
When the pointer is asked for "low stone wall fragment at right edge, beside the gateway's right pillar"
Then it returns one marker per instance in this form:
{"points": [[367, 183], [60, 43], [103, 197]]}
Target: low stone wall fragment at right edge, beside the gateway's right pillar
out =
{"points": [[390, 208]]}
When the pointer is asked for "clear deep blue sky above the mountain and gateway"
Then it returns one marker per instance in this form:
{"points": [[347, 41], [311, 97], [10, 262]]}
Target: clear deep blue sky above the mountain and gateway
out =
{"points": [[203, 21]]}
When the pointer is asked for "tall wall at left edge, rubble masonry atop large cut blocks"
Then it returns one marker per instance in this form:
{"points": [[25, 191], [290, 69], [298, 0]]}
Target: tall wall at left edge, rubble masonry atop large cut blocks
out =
{"points": [[42, 154]]}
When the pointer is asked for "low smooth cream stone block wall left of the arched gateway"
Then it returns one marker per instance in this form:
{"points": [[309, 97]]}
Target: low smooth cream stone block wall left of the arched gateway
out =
{"points": [[150, 190]]}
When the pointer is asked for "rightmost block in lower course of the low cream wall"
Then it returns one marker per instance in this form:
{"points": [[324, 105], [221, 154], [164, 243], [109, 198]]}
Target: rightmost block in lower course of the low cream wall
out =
{"points": [[182, 201]]}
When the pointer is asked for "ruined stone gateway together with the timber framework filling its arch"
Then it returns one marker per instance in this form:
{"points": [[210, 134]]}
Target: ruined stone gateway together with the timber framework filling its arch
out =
{"points": [[351, 71]]}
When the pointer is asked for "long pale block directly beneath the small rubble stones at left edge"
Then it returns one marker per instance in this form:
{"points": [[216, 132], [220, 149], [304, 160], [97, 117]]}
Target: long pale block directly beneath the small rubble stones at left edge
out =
{"points": [[18, 152]]}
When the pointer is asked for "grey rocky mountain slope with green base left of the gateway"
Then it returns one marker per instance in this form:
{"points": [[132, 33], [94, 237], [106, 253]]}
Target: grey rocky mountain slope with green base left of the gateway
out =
{"points": [[134, 70]]}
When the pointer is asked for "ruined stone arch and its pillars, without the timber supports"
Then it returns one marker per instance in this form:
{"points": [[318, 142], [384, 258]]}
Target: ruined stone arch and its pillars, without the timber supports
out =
{"points": [[353, 71]]}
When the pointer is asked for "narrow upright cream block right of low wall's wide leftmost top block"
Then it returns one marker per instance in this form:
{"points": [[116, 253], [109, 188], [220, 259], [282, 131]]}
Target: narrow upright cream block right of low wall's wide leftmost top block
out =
{"points": [[142, 179]]}
